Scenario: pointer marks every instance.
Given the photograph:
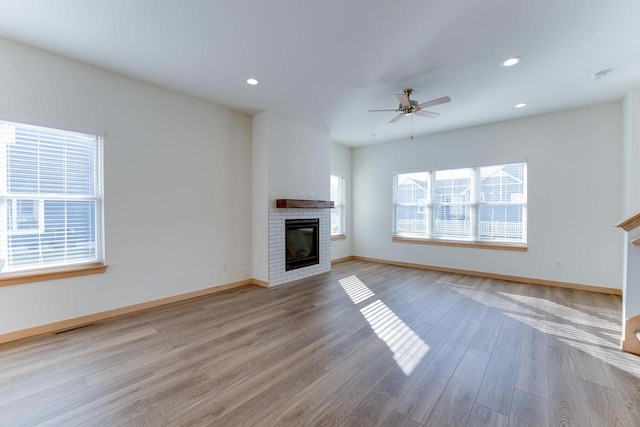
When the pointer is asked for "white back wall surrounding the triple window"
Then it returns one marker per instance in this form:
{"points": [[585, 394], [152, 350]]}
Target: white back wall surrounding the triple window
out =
{"points": [[574, 194]]}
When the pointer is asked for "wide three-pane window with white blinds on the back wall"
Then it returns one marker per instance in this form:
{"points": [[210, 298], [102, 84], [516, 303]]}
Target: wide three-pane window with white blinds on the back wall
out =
{"points": [[482, 204]]}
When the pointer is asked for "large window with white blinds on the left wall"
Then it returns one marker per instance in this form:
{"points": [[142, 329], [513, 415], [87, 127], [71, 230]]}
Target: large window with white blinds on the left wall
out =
{"points": [[50, 198]]}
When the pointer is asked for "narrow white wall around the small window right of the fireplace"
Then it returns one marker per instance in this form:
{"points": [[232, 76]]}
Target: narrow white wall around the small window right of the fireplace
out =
{"points": [[340, 165]]}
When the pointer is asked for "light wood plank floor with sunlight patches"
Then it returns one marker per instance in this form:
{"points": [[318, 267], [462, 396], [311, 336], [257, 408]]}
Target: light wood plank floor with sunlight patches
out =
{"points": [[364, 345]]}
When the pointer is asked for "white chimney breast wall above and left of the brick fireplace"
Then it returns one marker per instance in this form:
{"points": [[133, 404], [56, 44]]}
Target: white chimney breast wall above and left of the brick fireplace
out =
{"points": [[289, 158]]}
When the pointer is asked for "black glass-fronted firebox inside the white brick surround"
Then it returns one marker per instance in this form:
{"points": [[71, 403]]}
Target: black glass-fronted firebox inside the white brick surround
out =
{"points": [[301, 243]]}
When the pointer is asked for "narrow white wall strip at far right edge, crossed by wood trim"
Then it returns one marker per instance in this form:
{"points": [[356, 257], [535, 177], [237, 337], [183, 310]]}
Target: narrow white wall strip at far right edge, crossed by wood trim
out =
{"points": [[631, 203]]}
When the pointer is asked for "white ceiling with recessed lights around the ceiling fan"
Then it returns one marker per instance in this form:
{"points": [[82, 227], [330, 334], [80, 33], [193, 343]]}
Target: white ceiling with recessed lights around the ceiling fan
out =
{"points": [[327, 62]]}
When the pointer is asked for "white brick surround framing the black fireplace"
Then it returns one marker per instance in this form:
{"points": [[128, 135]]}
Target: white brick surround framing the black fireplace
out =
{"points": [[277, 273]]}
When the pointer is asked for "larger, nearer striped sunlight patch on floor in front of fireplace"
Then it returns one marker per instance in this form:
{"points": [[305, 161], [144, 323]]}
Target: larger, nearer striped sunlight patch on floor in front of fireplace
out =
{"points": [[407, 347]]}
